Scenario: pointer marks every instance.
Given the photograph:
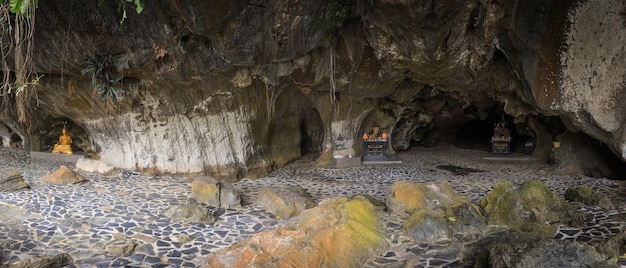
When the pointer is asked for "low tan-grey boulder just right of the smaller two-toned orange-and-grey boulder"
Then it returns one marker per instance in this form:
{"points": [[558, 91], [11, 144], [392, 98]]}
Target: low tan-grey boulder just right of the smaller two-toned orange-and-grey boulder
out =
{"points": [[284, 201]]}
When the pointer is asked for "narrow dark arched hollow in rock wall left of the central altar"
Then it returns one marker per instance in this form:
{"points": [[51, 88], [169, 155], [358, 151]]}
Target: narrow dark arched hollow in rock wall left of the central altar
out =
{"points": [[311, 132]]}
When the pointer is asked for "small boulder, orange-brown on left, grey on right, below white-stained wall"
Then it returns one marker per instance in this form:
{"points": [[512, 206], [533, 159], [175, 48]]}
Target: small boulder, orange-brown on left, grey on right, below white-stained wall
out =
{"points": [[210, 191]]}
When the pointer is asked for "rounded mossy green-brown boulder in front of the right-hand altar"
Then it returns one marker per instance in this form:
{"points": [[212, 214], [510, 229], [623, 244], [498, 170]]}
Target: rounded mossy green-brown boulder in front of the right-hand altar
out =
{"points": [[529, 206]]}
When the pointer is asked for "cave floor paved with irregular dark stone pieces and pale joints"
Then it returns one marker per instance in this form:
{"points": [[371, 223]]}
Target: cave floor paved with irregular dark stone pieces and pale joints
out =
{"points": [[89, 219]]}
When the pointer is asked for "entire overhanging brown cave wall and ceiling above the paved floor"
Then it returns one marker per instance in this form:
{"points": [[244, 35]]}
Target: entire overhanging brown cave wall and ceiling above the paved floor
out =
{"points": [[235, 88]]}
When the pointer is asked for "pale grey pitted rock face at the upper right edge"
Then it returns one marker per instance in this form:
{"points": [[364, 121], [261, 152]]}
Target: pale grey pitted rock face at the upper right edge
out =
{"points": [[592, 84]]}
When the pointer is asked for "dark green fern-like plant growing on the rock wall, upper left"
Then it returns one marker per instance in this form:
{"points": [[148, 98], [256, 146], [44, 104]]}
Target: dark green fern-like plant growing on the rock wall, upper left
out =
{"points": [[106, 84]]}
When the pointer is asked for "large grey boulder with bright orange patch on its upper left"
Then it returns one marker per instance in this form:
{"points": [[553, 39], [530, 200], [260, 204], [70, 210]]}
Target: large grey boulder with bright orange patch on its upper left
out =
{"points": [[433, 211]]}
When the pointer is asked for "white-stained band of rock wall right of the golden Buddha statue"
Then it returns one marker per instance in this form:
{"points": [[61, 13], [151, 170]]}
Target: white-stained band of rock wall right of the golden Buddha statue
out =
{"points": [[179, 144]]}
